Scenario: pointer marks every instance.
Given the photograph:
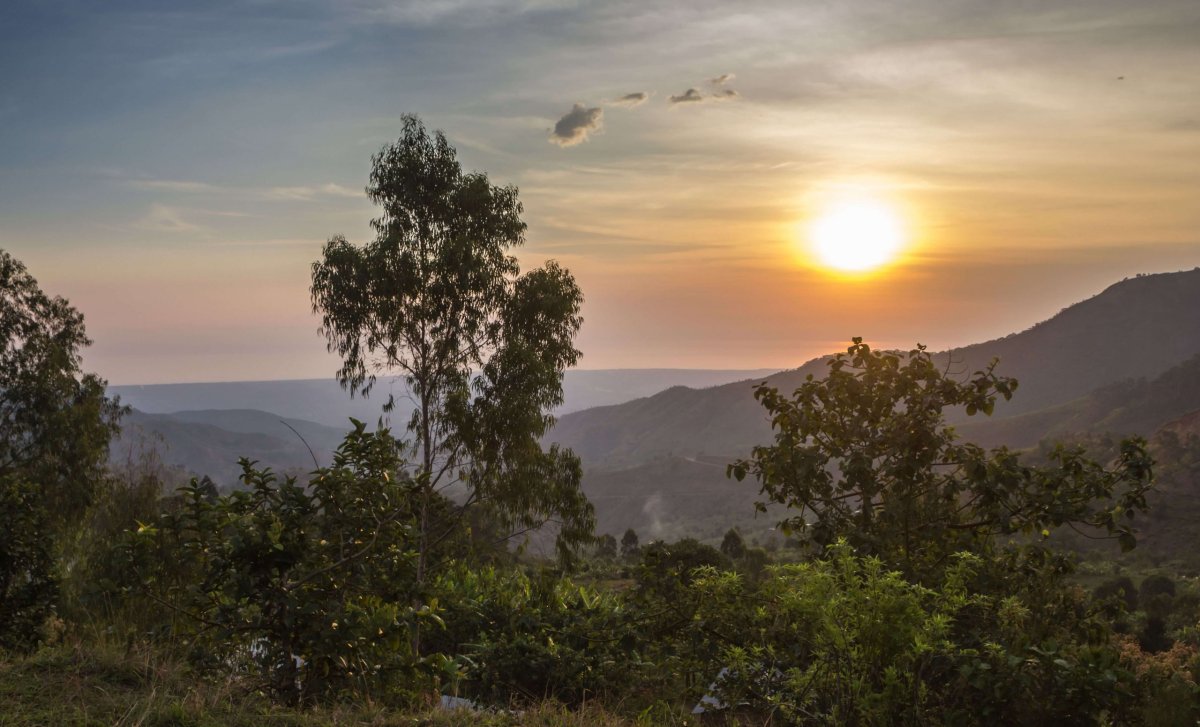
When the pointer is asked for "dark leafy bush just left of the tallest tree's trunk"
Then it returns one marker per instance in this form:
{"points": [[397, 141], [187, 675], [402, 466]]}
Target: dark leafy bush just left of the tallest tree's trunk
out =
{"points": [[309, 587]]}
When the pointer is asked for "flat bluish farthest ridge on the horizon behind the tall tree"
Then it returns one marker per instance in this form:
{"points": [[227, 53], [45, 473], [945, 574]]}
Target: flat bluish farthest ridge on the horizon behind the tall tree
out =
{"points": [[326, 402]]}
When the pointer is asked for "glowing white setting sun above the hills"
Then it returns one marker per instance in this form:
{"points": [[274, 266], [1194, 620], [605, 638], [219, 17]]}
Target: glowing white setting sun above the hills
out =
{"points": [[856, 235]]}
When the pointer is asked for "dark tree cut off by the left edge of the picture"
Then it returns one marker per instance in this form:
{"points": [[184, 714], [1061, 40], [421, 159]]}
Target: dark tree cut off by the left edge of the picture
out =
{"points": [[56, 424]]}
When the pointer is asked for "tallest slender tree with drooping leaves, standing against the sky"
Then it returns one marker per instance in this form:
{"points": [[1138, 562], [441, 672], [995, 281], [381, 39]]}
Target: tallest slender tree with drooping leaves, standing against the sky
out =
{"points": [[439, 299]]}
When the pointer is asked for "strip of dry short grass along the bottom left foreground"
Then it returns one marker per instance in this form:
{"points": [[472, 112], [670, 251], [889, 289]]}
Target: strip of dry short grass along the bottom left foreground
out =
{"points": [[85, 686]]}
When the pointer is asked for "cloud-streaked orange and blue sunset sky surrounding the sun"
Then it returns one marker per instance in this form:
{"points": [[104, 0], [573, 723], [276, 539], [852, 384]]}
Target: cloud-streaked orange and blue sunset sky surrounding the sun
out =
{"points": [[175, 169]]}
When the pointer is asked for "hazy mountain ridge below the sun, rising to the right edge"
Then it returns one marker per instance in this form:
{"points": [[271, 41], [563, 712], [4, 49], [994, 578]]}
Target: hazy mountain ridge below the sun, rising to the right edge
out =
{"points": [[1136, 329]]}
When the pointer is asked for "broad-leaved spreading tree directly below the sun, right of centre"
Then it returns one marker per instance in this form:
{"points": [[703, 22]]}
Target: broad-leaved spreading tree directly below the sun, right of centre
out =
{"points": [[866, 455]]}
